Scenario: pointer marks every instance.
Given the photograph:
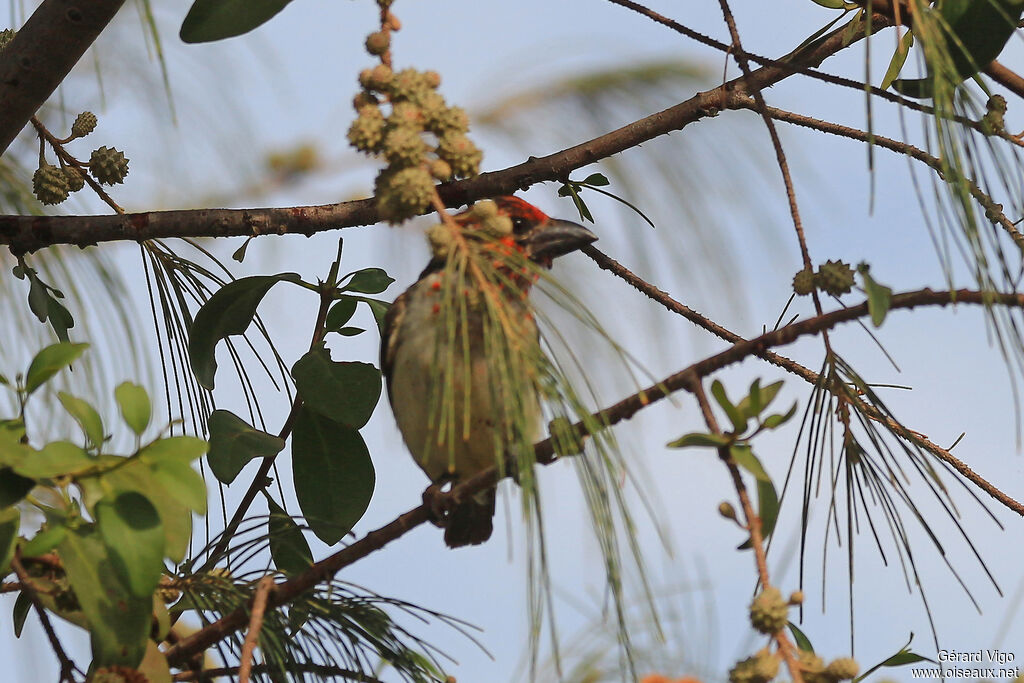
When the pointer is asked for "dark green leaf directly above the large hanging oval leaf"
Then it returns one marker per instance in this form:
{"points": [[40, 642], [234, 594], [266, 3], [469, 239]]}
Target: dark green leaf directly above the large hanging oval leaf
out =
{"points": [[346, 393]]}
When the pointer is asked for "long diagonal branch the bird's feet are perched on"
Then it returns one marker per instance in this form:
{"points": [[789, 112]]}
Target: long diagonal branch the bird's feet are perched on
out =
{"points": [[544, 451]]}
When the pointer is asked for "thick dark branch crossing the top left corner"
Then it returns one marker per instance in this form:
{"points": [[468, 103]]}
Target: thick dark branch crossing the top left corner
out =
{"points": [[42, 55]]}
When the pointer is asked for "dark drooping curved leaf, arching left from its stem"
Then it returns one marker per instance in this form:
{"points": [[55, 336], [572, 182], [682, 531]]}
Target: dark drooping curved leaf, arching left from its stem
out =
{"points": [[228, 313]]}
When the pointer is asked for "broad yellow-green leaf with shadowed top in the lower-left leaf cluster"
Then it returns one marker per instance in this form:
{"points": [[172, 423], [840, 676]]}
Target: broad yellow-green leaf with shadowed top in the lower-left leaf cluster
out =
{"points": [[131, 527]]}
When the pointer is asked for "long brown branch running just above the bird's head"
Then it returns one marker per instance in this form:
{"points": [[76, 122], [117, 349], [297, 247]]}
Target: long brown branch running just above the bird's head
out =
{"points": [[27, 234]]}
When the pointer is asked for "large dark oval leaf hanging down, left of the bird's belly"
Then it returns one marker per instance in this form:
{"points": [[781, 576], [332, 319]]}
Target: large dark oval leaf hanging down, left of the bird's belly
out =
{"points": [[334, 477]]}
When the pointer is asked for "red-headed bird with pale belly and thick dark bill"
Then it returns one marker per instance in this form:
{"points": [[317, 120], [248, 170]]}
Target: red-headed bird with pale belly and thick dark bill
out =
{"points": [[433, 340]]}
